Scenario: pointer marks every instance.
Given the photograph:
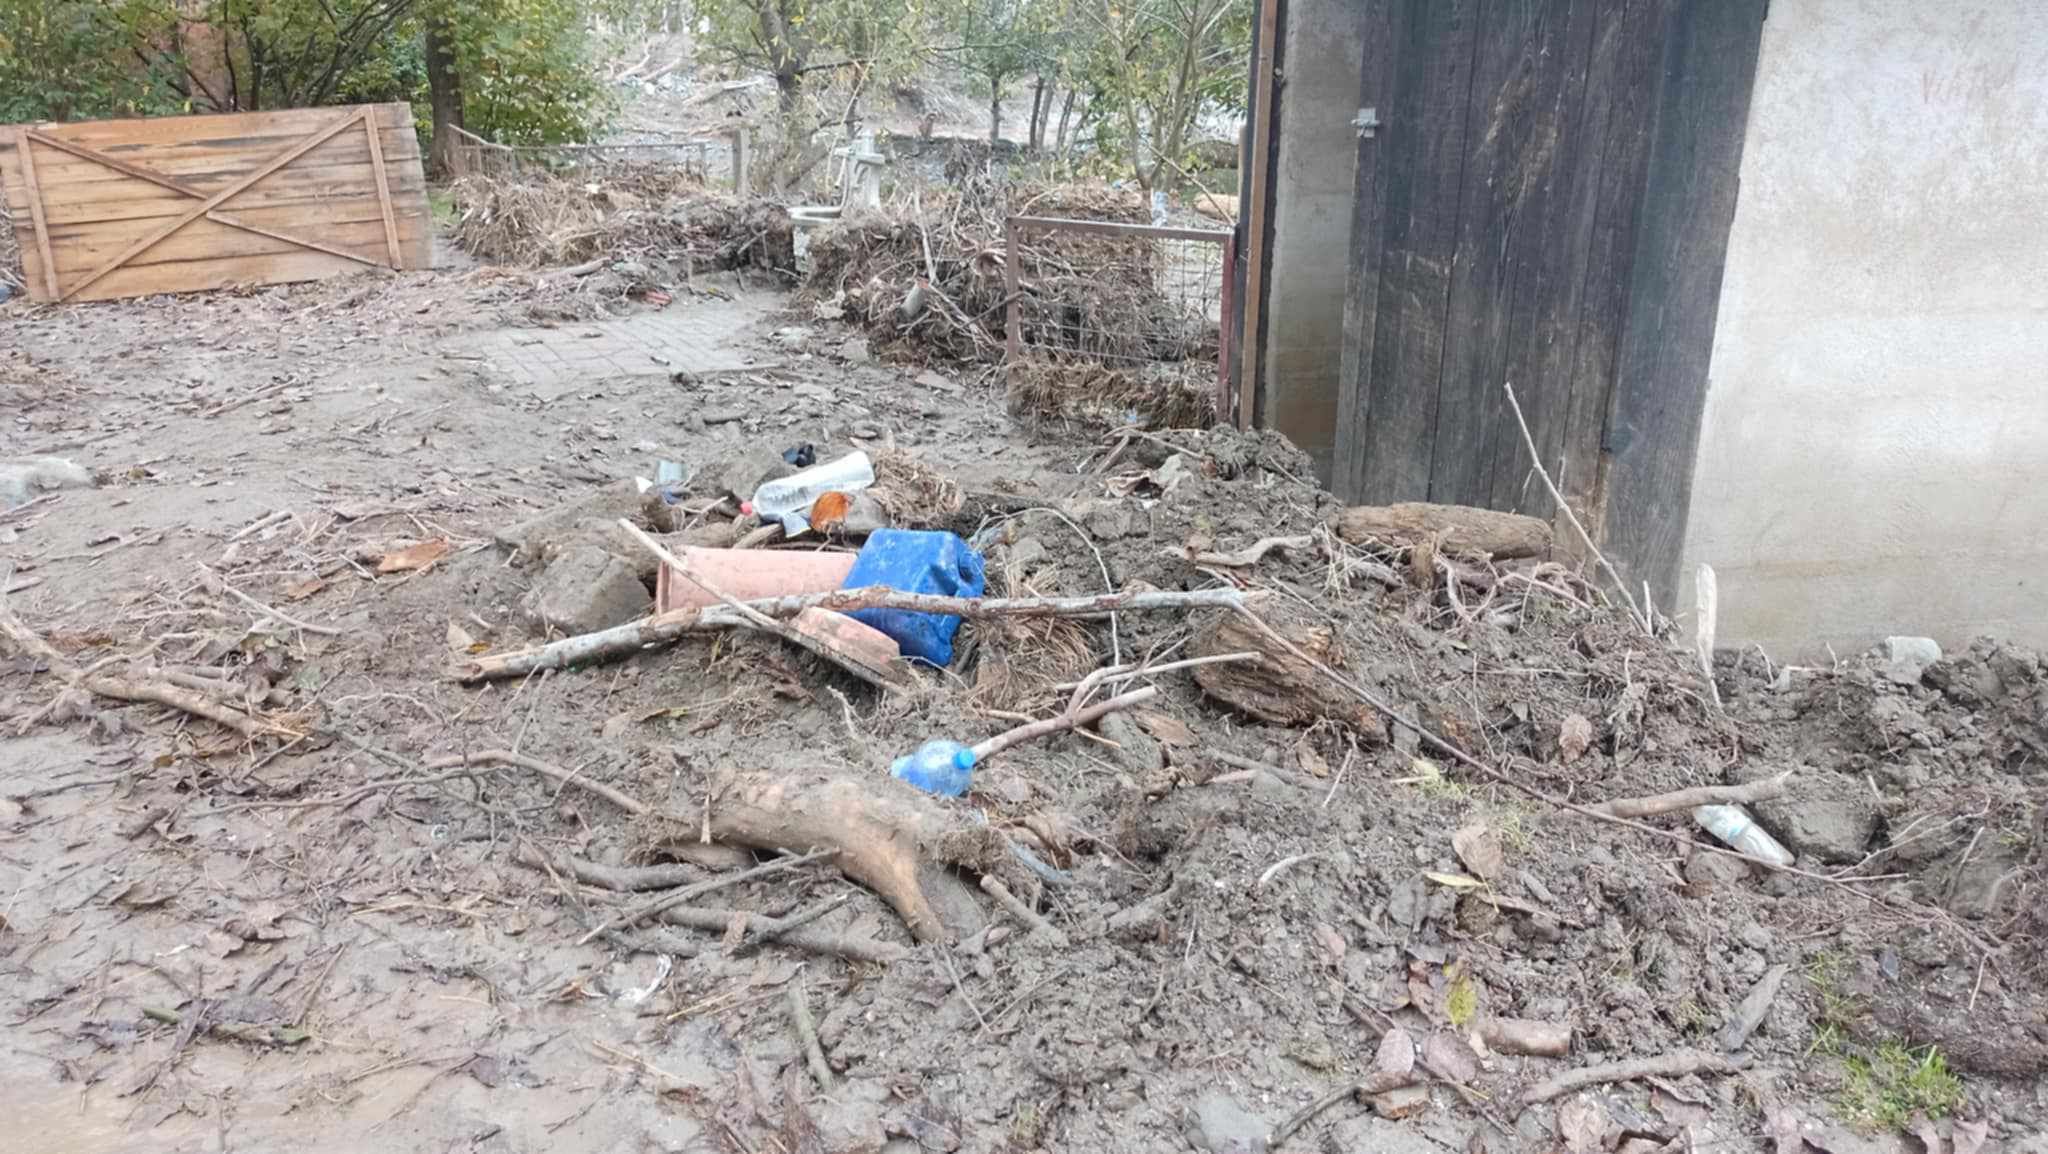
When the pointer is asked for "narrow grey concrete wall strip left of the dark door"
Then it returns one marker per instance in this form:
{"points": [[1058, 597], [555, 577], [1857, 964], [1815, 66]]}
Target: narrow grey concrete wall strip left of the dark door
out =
{"points": [[1322, 54]]}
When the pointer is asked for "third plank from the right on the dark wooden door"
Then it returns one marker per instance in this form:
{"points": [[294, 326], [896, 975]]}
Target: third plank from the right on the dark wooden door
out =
{"points": [[1545, 263]]}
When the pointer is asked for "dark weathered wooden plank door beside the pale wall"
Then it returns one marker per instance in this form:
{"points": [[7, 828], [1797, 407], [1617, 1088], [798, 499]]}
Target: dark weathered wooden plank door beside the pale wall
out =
{"points": [[1545, 202]]}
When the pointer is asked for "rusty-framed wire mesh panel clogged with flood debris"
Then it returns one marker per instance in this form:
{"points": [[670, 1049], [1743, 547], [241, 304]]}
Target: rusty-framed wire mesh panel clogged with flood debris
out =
{"points": [[1142, 302]]}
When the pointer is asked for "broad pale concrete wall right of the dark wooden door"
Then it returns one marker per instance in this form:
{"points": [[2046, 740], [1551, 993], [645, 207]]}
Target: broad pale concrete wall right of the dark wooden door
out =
{"points": [[1875, 446]]}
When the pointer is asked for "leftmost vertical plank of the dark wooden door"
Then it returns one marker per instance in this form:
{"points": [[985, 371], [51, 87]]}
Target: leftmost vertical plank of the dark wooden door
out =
{"points": [[1385, 26]]}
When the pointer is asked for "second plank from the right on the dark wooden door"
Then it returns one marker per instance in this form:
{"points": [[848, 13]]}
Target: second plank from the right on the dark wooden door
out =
{"points": [[1619, 112]]}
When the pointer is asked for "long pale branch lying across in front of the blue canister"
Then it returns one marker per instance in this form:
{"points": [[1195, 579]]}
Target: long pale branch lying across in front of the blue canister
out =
{"points": [[667, 628]]}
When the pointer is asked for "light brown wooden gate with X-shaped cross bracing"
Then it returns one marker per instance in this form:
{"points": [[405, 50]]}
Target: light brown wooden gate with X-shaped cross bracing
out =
{"points": [[179, 204]]}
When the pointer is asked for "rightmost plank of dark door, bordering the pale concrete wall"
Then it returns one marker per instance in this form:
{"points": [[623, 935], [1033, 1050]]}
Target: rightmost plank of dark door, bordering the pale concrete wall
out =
{"points": [[1695, 175]]}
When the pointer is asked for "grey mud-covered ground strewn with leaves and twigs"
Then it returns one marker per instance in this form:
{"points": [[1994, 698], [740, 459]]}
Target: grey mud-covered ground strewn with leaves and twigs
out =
{"points": [[310, 940]]}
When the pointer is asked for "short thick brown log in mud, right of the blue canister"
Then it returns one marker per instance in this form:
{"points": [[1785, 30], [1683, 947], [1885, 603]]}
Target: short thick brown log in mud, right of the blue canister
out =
{"points": [[1279, 686]]}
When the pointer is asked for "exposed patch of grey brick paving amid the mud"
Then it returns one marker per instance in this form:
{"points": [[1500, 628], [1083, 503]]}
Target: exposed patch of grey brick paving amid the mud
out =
{"points": [[701, 337]]}
